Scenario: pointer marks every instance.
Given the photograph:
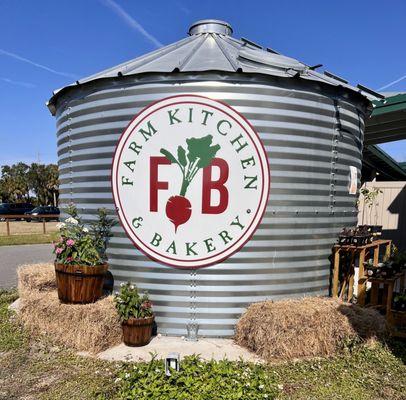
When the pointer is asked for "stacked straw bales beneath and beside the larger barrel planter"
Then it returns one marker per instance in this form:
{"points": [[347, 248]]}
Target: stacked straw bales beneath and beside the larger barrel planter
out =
{"points": [[88, 327]]}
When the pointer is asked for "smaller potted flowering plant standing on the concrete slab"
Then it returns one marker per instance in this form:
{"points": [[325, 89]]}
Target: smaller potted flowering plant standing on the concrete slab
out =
{"points": [[136, 315]]}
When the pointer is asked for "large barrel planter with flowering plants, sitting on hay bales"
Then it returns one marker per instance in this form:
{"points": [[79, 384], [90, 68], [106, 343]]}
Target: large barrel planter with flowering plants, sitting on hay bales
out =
{"points": [[80, 257]]}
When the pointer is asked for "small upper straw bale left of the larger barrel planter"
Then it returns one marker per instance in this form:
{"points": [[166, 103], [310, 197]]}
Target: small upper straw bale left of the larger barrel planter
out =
{"points": [[40, 277]]}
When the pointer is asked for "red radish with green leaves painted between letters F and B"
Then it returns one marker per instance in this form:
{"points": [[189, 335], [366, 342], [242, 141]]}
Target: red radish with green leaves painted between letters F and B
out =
{"points": [[200, 154]]}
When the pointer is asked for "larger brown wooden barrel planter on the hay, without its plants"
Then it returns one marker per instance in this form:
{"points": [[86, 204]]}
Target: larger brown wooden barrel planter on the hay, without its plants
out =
{"points": [[80, 284]]}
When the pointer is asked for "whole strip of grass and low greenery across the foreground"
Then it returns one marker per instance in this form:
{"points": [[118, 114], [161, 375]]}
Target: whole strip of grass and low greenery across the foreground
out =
{"points": [[37, 369]]}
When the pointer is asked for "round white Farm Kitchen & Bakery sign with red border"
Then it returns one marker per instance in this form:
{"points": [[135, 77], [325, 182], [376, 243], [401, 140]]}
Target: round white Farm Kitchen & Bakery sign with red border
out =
{"points": [[190, 181]]}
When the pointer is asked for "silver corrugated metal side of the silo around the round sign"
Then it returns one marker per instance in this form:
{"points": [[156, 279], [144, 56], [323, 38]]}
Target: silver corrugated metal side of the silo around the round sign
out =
{"points": [[311, 140]]}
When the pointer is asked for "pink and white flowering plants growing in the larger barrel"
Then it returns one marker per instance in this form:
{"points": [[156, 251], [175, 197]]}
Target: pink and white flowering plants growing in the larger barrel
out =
{"points": [[80, 244]]}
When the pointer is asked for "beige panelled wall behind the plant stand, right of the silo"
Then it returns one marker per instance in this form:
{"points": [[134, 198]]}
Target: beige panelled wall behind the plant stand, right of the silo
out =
{"points": [[389, 211]]}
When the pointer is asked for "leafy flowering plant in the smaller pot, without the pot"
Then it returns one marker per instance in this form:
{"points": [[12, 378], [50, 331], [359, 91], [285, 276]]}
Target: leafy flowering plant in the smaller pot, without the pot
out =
{"points": [[131, 304]]}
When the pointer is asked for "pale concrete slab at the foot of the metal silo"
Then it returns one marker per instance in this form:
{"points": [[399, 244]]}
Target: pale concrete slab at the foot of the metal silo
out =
{"points": [[207, 348]]}
